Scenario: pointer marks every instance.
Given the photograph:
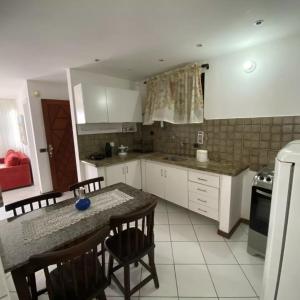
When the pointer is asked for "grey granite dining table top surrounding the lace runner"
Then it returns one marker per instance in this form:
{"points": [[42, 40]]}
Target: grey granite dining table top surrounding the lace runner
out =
{"points": [[15, 251]]}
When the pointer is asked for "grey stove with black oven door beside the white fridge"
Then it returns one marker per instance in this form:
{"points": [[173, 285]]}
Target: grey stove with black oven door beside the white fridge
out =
{"points": [[260, 211]]}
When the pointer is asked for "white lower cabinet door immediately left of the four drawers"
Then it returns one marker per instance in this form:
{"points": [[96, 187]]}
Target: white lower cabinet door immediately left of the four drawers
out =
{"points": [[176, 186]]}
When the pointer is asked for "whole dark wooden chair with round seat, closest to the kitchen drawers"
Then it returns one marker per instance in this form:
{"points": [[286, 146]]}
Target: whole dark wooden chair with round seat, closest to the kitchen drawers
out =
{"points": [[129, 244]]}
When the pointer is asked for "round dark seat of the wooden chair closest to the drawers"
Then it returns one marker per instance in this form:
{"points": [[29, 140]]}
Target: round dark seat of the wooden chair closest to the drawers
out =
{"points": [[136, 240]]}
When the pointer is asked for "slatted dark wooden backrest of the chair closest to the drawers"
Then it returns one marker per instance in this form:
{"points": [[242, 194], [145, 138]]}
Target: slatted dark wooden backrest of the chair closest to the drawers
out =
{"points": [[134, 231]]}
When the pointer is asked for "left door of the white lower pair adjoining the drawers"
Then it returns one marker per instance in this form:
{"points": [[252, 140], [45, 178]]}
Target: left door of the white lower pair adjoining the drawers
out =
{"points": [[155, 182]]}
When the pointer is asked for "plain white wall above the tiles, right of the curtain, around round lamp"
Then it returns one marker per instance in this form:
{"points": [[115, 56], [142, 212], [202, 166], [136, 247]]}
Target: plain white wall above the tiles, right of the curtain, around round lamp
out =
{"points": [[271, 90]]}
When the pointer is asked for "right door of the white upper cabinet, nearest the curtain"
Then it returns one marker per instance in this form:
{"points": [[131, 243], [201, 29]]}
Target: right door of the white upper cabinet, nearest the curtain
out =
{"points": [[123, 105]]}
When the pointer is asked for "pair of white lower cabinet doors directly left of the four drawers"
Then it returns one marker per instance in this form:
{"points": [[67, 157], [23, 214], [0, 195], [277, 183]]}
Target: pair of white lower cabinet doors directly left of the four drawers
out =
{"points": [[167, 182]]}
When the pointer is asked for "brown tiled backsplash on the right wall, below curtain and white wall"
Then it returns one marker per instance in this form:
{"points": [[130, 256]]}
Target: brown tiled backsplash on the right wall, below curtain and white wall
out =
{"points": [[253, 141]]}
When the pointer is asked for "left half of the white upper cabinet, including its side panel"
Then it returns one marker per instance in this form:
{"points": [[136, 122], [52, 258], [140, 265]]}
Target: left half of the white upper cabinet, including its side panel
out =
{"points": [[90, 103]]}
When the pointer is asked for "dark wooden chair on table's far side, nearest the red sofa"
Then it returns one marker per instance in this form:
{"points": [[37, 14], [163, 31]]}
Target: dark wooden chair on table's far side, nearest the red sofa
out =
{"points": [[27, 205]]}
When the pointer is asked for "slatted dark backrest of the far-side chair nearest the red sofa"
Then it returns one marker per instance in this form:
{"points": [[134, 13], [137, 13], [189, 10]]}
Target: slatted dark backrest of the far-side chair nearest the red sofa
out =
{"points": [[32, 203]]}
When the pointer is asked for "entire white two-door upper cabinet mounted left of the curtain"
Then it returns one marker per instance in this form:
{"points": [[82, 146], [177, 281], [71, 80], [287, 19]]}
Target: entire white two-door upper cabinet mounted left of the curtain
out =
{"points": [[99, 104]]}
